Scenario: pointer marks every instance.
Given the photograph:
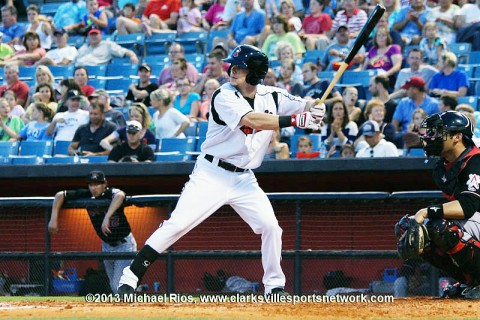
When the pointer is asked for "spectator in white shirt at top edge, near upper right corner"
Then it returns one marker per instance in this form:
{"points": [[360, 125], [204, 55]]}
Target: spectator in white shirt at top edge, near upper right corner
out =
{"points": [[443, 17]]}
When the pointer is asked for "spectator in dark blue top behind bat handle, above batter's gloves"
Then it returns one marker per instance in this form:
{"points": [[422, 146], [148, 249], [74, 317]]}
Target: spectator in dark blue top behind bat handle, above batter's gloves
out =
{"points": [[317, 87]]}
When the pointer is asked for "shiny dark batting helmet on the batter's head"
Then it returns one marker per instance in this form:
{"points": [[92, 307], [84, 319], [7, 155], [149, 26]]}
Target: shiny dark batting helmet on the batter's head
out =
{"points": [[251, 58]]}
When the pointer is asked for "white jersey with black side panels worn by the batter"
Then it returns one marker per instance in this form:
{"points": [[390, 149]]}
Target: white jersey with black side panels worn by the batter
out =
{"points": [[227, 139]]}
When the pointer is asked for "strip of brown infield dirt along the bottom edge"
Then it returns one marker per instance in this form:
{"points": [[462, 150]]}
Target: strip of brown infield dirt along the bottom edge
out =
{"points": [[406, 308]]}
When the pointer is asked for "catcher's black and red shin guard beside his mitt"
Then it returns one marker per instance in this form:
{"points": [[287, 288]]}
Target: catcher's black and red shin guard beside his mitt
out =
{"points": [[462, 249]]}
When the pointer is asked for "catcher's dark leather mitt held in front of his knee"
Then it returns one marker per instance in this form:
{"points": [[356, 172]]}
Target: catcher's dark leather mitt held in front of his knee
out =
{"points": [[412, 238]]}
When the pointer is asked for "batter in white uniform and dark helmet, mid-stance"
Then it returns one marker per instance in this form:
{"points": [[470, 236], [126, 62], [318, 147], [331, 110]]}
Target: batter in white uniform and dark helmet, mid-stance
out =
{"points": [[243, 115]]}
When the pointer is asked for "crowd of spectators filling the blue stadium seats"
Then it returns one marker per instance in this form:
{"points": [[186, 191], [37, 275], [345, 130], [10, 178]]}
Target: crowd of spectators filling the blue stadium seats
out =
{"points": [[65, 74]]}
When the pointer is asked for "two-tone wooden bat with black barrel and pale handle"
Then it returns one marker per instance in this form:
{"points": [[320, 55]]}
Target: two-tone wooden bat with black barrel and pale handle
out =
{"points": [[359, 42]]}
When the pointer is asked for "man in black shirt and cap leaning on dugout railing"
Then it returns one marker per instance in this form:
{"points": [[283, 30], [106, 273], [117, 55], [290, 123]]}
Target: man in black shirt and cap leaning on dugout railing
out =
{"points": [[109, 223]]}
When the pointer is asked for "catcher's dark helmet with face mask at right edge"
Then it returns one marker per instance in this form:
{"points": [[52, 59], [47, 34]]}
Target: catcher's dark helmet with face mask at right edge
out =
{"points": [[436, 128]]}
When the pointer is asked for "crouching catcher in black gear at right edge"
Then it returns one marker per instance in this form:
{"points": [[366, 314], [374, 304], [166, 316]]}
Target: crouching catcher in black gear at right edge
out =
{"points": [[447, 235]]}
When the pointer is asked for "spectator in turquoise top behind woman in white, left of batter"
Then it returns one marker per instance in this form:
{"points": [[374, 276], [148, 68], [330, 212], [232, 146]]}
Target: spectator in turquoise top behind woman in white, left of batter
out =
{"points": [[187, 102]]}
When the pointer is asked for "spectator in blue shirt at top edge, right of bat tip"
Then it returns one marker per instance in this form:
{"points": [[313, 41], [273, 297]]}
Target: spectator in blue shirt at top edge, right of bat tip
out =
{"points": [[410, 20]]}
